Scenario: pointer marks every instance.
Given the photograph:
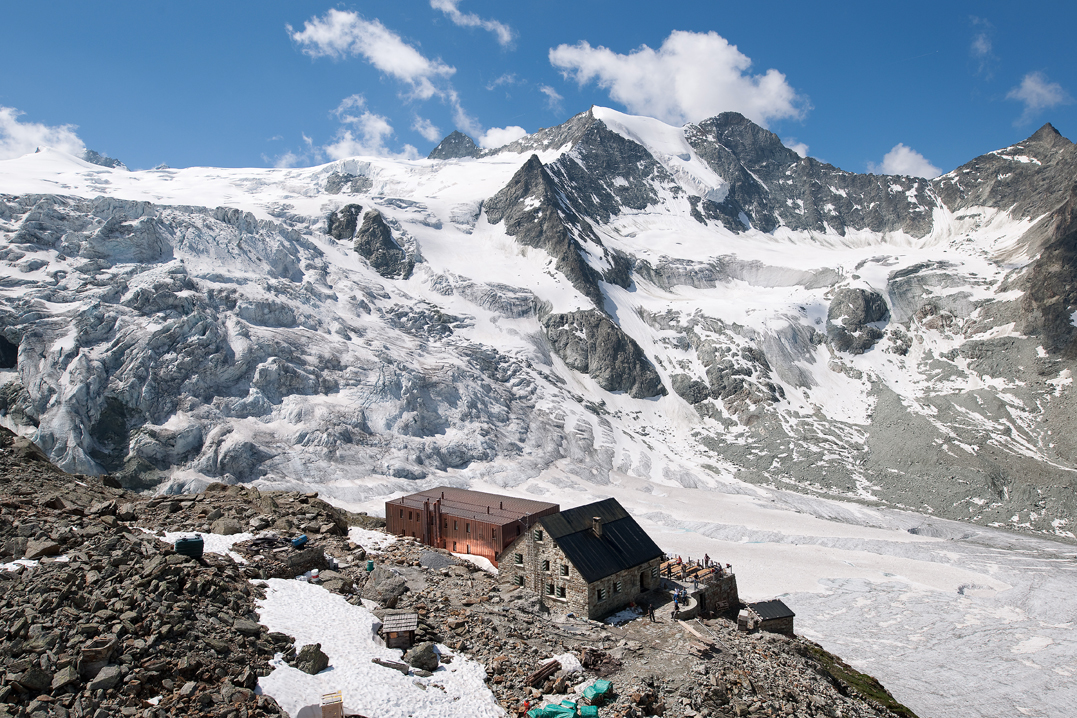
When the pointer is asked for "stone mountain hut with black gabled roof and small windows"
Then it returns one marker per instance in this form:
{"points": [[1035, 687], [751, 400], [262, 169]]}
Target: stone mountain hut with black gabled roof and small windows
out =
{"points": [[592, 560]]}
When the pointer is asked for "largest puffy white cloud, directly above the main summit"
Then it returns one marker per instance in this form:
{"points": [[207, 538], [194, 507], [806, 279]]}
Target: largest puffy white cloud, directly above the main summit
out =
{"points": [[692, 77]]}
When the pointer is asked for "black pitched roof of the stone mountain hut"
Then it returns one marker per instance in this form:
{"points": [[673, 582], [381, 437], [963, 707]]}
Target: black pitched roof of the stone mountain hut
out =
{"points": [[623, 545]]}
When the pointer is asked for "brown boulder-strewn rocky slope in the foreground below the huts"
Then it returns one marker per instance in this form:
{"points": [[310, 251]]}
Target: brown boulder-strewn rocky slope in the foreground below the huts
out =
{"points": [[104, 618]]}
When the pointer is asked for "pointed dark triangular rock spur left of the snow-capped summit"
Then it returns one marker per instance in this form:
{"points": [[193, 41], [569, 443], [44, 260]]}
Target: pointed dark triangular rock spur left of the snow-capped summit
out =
{"points": [[534, 213]]}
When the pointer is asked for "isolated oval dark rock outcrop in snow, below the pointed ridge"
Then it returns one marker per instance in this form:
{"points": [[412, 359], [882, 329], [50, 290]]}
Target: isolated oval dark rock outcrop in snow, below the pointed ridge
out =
{"points": [[592, 344]]}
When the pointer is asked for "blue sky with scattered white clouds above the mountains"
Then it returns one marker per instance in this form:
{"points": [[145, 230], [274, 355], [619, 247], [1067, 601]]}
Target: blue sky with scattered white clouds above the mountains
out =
{"points": [[911, 87]]}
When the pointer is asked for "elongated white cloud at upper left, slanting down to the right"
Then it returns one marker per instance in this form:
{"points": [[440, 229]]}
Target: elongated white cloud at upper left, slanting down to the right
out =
{"points": [[341, 34]]}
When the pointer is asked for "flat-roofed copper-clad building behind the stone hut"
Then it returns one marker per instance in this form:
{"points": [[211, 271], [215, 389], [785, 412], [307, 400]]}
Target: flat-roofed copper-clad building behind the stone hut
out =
{"points": [[465, 522]]}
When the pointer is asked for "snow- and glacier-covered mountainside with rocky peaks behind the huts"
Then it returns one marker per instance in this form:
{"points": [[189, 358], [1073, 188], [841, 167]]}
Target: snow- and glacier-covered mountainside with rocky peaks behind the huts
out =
{"points": [[607, 299]]}
